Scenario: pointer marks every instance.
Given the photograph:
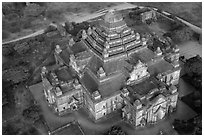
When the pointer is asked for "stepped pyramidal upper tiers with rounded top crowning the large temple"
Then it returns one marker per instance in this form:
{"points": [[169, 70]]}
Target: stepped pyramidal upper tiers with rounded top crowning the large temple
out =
{"points": [[112, 38]]}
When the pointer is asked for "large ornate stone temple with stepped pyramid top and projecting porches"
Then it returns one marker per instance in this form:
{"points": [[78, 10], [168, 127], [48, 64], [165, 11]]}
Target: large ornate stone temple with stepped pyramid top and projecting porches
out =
{"points": [[116, 70]]}
